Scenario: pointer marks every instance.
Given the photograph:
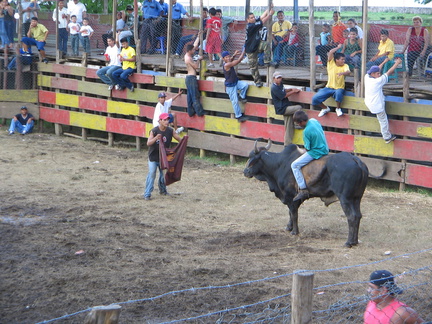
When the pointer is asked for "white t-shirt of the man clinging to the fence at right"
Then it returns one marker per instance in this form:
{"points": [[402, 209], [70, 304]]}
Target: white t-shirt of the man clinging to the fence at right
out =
{"points": [[374, 96]]}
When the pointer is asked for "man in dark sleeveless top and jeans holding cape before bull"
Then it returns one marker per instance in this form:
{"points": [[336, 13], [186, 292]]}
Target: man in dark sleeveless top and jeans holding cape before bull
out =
{"points": [[160, 134]]}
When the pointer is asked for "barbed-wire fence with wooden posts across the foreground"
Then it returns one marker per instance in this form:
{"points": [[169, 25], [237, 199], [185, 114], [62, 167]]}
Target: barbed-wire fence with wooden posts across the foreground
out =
{"points": [[334, 296]]}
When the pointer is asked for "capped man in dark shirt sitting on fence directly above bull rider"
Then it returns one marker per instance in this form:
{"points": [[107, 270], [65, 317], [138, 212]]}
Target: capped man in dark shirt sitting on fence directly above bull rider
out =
{"points": [[283, 106]]}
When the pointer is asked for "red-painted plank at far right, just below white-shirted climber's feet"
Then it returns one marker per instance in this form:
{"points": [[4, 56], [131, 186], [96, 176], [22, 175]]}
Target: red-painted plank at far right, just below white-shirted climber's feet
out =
{"points": [[413, 150]]}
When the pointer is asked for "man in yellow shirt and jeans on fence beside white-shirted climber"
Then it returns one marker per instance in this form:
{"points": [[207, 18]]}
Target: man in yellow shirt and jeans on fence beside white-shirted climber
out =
{"points": [[335, 87]]}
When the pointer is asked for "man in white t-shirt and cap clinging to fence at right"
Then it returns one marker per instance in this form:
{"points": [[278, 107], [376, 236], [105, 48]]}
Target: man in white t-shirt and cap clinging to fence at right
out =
{"points": [[374, 96]]}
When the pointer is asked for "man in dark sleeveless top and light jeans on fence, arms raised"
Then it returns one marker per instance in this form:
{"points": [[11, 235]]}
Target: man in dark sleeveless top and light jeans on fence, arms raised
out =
{"points": [[233, 84]]}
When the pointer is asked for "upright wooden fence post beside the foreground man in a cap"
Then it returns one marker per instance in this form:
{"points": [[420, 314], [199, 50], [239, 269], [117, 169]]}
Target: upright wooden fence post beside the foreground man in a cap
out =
{"points": [[301, 298]]}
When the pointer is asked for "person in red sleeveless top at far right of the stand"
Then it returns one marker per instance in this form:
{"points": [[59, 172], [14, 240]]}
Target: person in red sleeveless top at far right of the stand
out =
{"points": [[417, 41]]}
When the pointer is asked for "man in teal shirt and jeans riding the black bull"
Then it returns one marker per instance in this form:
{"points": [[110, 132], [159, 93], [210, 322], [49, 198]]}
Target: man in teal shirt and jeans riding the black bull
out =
{"points": [[316, 146]]}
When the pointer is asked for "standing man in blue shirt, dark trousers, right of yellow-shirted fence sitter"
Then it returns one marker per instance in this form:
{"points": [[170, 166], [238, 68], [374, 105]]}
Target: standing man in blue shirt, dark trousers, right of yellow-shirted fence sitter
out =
{"points": [[151, 13]]}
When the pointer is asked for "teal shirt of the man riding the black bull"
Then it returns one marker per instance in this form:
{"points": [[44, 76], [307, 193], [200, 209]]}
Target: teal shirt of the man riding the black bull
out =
{"points": [[314, 139]]}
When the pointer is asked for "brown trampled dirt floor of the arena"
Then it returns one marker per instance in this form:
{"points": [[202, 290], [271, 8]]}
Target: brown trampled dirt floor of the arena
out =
{"points": [[76, 233]]}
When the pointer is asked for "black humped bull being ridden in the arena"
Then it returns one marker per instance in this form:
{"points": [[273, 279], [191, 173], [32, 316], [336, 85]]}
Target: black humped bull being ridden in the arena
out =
{"points": [[340, 176]]}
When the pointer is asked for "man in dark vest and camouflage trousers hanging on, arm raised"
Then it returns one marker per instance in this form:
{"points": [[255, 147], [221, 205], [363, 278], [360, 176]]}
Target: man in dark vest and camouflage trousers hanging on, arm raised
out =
{"points": [[254, 44]]}
